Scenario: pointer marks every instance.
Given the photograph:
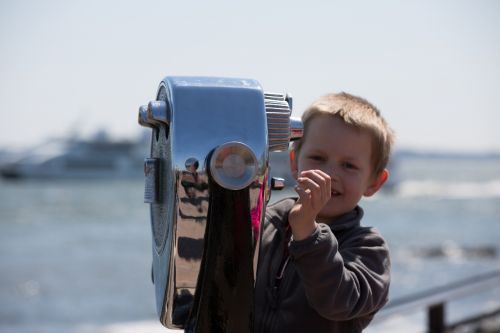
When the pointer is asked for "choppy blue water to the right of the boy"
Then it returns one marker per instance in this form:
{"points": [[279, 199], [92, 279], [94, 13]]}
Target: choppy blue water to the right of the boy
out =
{"points": [[442, 225]]}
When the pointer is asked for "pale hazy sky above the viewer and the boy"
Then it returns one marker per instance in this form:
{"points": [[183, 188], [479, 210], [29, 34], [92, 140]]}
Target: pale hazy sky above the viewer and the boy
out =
{"points": [[76, 67]]}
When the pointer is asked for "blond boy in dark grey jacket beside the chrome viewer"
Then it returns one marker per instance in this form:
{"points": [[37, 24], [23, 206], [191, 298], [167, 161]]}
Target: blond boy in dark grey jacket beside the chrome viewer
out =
{"points": [[319, 269]]}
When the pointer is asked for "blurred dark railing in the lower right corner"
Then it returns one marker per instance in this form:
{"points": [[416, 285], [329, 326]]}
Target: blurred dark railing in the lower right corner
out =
{"points": [[434, 301]]}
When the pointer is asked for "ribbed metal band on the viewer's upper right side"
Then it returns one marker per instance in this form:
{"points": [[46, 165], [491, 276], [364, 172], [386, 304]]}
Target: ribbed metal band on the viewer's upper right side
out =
{"points": [[278, 113]]}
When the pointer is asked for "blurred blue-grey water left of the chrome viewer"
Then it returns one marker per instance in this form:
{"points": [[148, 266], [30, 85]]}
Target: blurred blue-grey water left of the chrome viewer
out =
{"points": [[73, 254]]}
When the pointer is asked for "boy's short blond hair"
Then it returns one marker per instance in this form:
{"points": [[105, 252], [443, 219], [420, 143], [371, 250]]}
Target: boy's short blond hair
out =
{"points": [[360, 114]]}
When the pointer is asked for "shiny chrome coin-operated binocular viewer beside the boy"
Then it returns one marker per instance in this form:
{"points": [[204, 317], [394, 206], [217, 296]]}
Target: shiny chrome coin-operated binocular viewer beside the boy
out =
{"points": [[207, 182]]}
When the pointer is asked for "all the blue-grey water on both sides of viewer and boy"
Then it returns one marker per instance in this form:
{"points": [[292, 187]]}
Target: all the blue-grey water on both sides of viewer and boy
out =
{"points": [[76, 257]]}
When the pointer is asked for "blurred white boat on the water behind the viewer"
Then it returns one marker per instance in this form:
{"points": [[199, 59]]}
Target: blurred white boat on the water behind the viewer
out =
{"points": [[96, 158]]}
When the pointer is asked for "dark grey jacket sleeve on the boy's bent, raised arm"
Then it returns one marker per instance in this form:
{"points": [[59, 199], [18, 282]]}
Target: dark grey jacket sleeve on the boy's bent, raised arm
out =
{"points": [[347, 283]]}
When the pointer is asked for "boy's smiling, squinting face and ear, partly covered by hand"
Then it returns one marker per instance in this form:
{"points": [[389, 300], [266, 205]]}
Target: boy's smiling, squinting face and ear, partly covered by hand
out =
{"points": [[344, 153]]}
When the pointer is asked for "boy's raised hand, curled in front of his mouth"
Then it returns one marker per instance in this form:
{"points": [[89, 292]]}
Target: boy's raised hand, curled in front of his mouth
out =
{"points": [[314, 189]]}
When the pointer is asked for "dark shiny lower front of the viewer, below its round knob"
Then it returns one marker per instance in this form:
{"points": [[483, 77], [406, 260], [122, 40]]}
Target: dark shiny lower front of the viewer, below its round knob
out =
{"points": [[224, 294]]}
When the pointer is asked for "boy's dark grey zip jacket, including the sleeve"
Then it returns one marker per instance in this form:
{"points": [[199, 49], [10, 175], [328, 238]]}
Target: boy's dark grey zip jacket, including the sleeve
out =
{"points": [[333, 281]]}
